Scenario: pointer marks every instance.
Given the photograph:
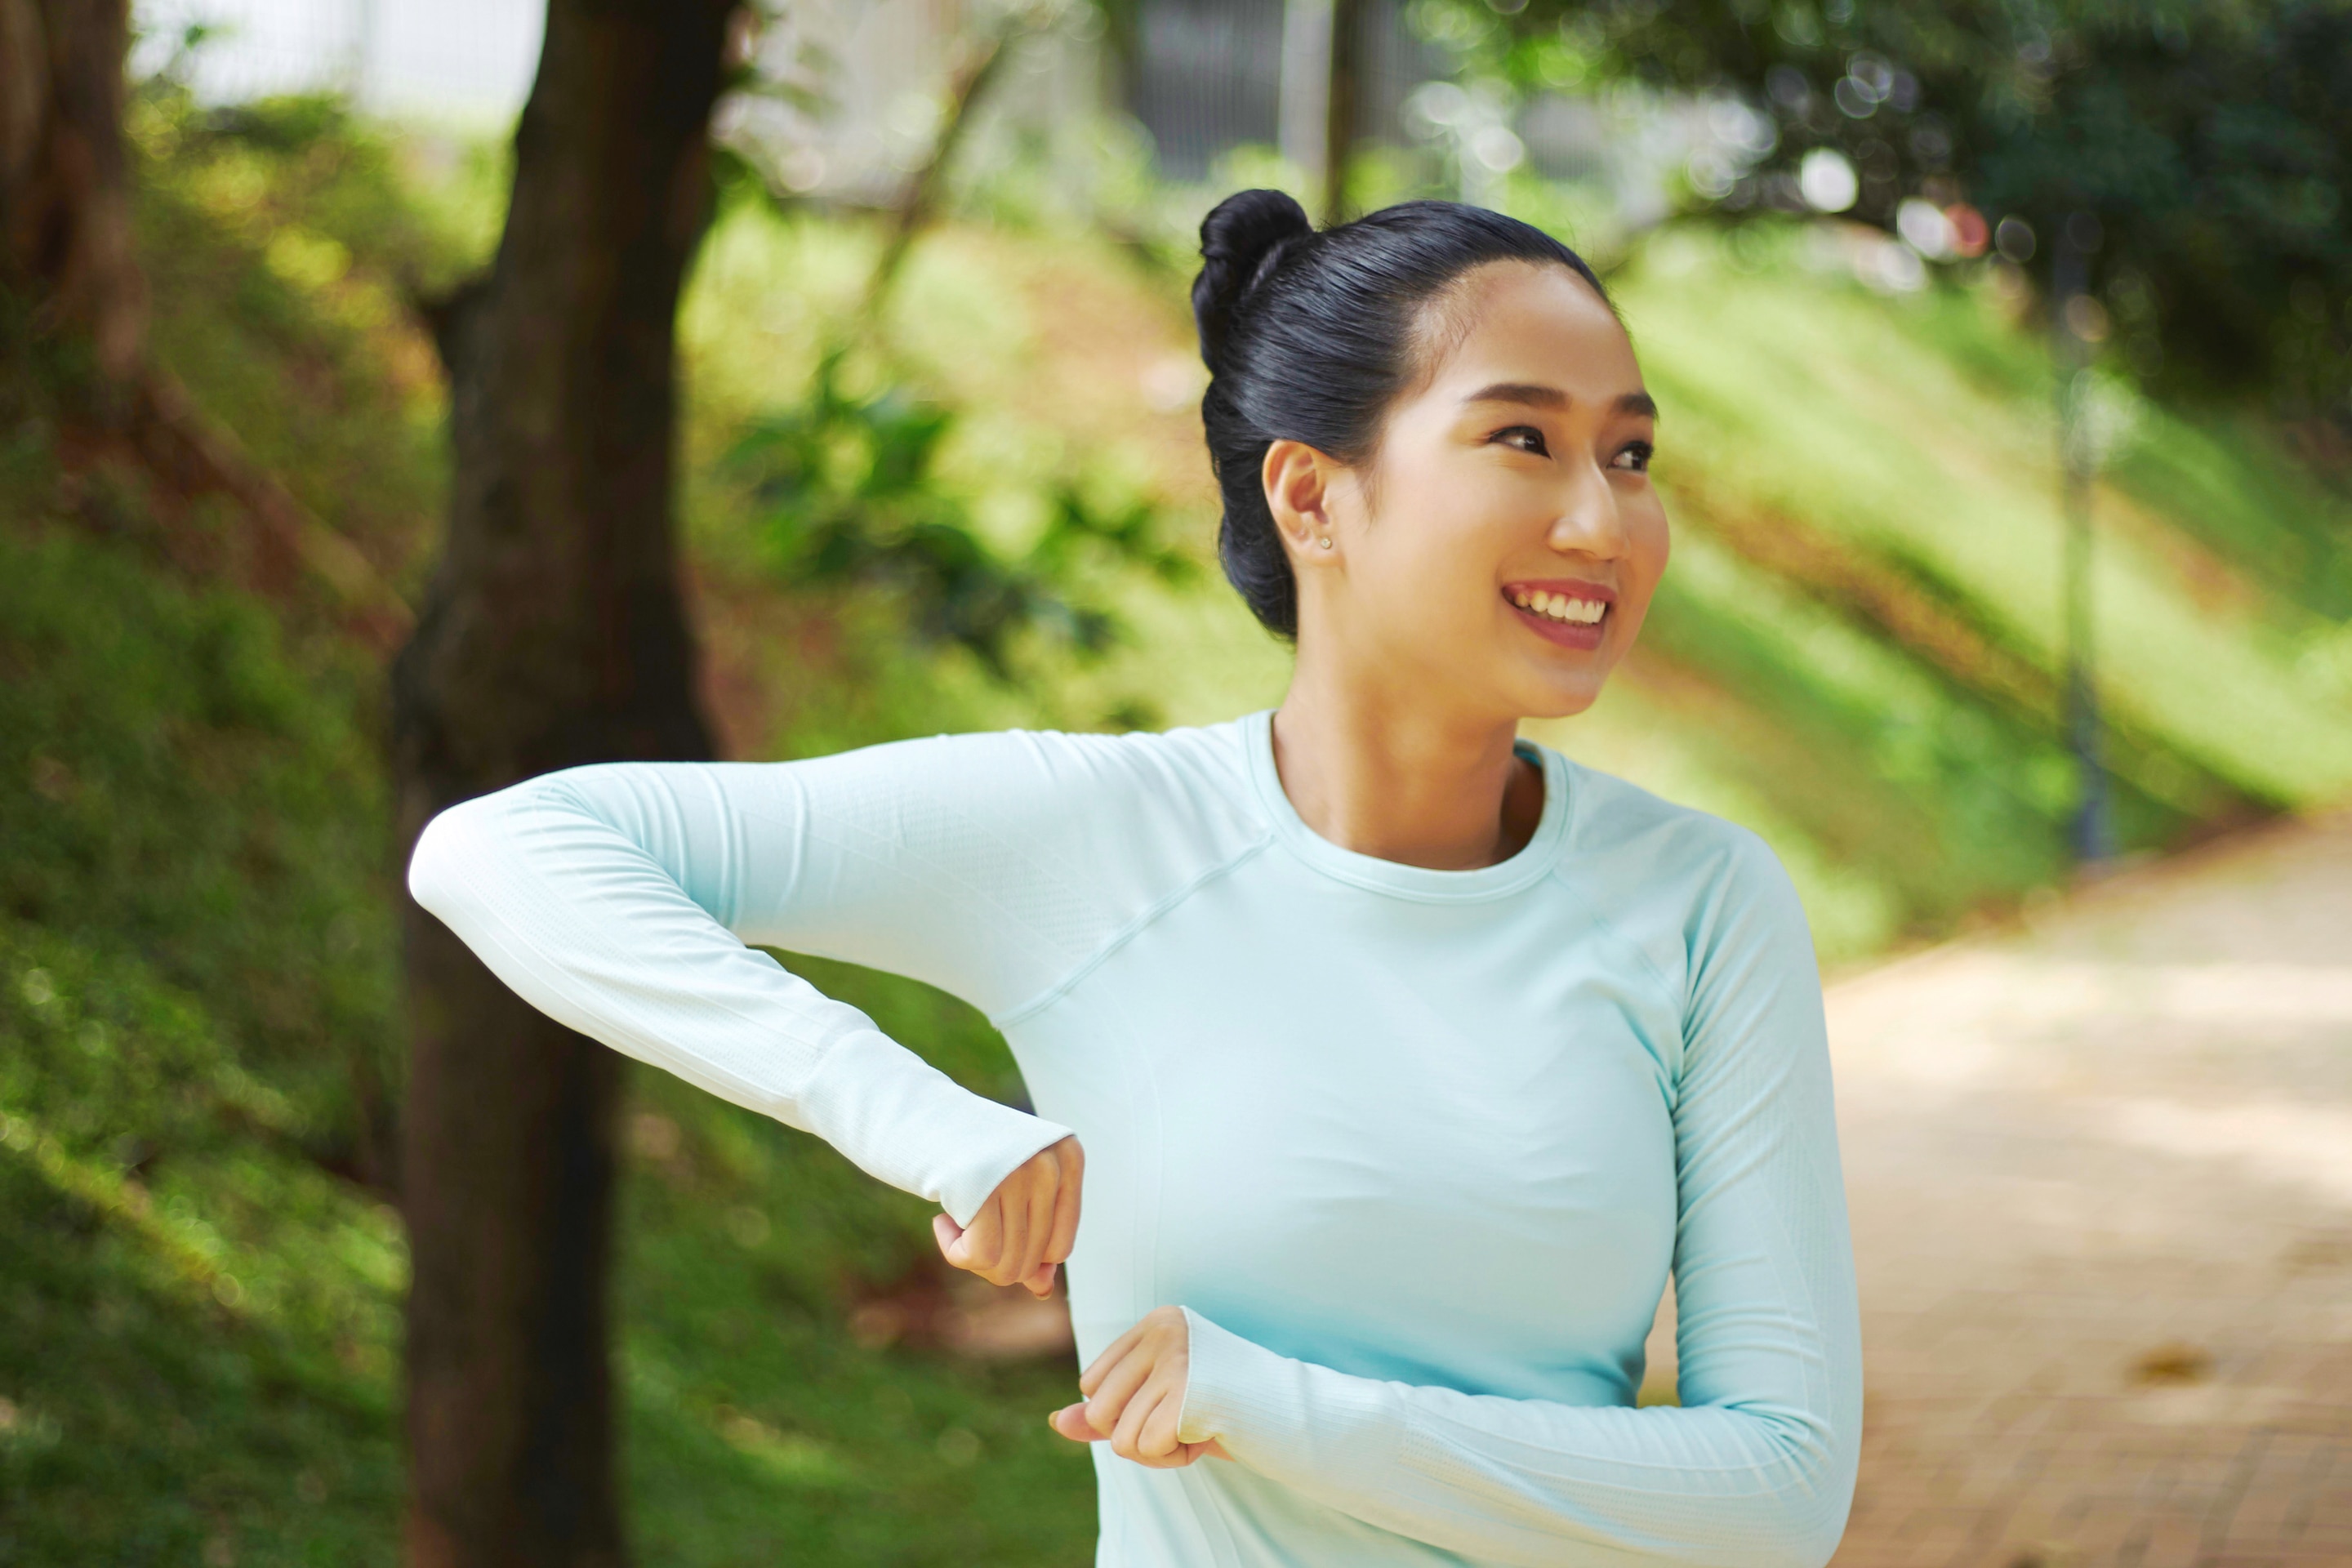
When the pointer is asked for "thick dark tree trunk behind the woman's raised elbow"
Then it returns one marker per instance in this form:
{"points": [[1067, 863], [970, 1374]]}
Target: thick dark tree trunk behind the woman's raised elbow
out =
{"points": [[552, 636]]}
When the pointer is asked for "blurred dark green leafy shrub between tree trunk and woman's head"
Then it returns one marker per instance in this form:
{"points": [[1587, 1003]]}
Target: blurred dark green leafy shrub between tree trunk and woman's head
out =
{"points": [[850, 495]]}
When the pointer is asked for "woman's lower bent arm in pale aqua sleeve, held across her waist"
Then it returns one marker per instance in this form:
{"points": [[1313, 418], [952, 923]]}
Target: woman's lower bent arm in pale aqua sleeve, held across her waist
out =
{"points": [[1753, 1470]]}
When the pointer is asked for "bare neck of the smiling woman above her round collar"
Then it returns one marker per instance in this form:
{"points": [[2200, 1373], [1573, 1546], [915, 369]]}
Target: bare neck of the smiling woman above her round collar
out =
{"points": [[1403, 782]]}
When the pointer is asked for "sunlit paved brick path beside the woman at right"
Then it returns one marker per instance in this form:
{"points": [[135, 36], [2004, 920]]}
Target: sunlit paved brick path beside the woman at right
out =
{"points": [[2102, 1188]]}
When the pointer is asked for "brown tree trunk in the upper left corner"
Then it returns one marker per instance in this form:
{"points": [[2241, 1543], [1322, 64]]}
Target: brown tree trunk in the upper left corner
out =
{"points": [[65, 182]]}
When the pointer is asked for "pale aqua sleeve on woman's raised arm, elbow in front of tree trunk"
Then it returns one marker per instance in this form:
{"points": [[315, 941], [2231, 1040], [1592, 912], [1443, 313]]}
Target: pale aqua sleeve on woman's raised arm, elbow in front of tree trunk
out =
{"points": [[620, 902]]}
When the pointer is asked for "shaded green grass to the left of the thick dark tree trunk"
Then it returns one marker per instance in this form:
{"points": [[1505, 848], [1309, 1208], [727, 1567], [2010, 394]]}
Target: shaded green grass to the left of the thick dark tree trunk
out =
{"points": [[196, 1320]]}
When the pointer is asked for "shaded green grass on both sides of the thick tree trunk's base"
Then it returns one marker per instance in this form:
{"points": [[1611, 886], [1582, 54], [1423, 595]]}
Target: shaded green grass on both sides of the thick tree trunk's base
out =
{"points": [[199, 1322]]}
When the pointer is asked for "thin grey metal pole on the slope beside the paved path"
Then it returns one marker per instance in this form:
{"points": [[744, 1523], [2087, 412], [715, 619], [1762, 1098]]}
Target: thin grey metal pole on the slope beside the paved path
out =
{"points": [[2092, 831]]}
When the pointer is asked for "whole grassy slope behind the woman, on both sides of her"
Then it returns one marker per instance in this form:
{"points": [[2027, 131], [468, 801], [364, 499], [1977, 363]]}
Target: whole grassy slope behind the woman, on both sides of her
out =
{"points": [[199, 1327]]}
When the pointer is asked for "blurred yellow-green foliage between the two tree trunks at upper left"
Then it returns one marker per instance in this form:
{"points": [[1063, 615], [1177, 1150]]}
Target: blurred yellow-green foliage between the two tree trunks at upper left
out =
{"points": [[286, 253]]}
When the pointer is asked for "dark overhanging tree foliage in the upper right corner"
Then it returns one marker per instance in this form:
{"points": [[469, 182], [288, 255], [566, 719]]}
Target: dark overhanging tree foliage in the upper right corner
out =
{"points": [[2207, 138]]}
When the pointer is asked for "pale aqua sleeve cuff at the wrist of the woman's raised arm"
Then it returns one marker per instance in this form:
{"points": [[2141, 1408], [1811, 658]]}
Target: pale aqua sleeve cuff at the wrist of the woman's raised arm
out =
{"points": [[907, 1123]]}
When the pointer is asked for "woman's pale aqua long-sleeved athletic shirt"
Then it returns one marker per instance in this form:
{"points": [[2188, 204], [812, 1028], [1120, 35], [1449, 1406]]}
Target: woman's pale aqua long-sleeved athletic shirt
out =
{"points": [[1412, 1148]]}
